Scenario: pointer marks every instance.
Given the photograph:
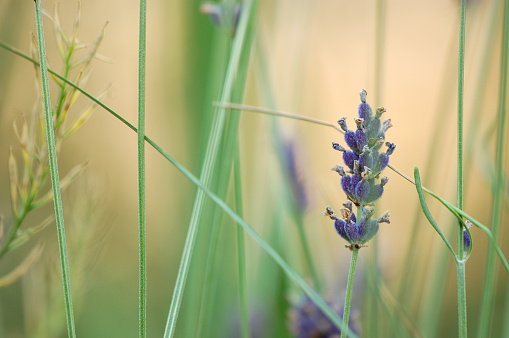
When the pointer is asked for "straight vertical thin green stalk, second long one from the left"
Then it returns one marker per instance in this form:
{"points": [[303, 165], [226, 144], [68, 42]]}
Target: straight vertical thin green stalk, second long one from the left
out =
{"points": [[142, 306]]}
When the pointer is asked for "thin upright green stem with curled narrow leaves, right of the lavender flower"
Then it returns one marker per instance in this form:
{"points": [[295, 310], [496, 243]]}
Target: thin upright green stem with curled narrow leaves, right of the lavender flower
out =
{"points": [[460, 264]]}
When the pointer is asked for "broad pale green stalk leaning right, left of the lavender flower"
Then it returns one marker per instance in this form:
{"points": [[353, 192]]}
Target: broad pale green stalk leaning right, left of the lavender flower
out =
{"points": [[207, 169]]}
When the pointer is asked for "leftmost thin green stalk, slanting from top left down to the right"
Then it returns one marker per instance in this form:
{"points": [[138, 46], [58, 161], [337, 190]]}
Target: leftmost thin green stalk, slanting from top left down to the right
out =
{"points": [[52, 155]]}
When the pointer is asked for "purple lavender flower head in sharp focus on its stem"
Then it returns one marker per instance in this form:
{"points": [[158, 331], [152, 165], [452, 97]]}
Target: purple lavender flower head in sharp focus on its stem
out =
{"points": [[367, 156]]}
